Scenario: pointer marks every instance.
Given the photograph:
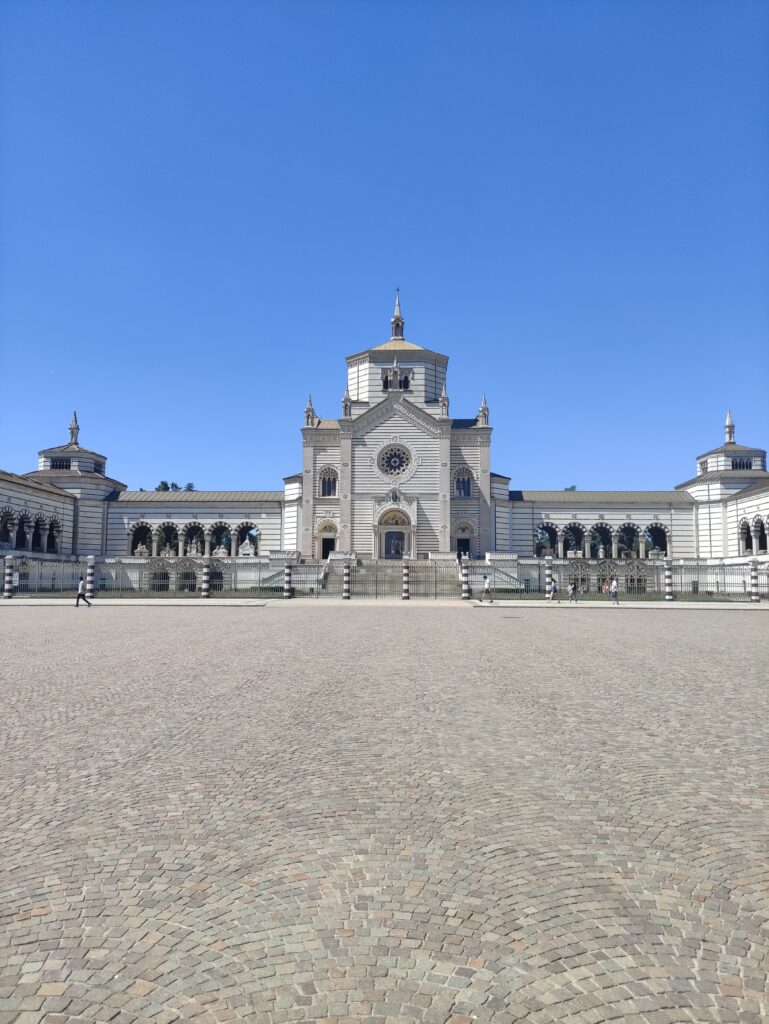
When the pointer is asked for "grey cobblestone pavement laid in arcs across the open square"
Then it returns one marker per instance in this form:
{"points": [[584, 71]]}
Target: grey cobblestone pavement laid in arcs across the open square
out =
{"points": [[402, 815]]}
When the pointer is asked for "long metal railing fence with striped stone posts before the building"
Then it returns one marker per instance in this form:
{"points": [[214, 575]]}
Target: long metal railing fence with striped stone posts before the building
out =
{"points": [[522, 579]]}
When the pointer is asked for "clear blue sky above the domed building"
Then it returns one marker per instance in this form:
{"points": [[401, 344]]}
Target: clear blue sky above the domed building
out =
{"points": [[205, 206]]}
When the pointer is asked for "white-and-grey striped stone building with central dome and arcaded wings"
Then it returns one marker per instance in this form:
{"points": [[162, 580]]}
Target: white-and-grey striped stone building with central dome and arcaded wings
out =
{"points": [[395, 477]]}
